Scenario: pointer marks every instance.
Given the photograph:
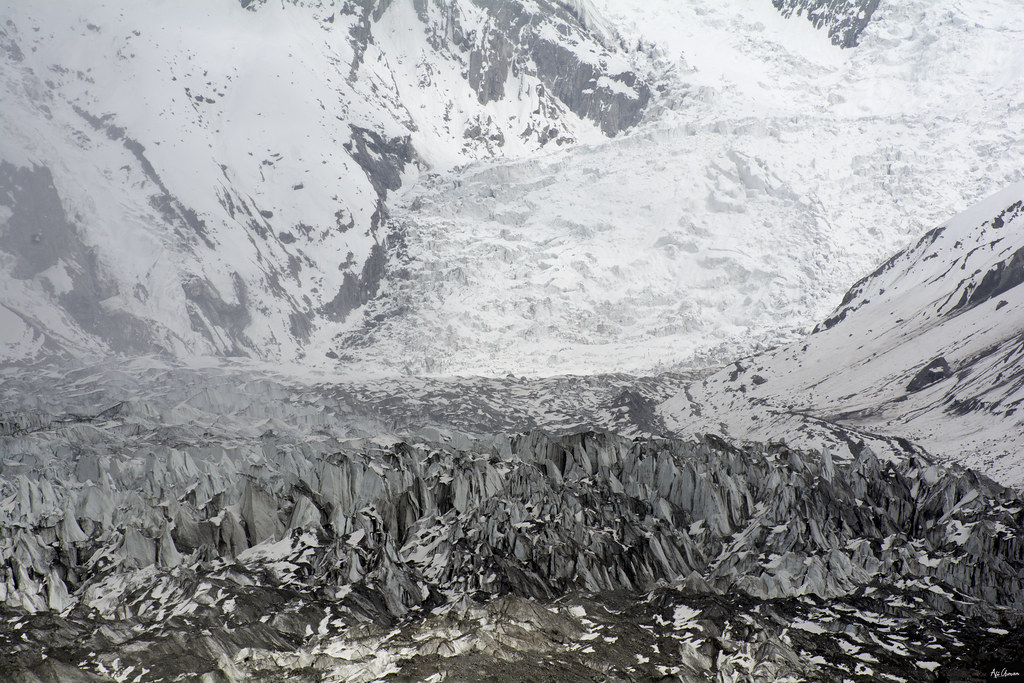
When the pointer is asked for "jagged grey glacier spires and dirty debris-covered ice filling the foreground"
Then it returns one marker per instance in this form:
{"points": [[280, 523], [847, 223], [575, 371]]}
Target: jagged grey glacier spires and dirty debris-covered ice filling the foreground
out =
{"points": [[258, 550]]}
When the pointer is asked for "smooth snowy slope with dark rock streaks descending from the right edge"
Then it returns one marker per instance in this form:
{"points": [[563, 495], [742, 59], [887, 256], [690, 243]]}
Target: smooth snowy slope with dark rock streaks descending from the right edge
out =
{"points": [[929, 348]]}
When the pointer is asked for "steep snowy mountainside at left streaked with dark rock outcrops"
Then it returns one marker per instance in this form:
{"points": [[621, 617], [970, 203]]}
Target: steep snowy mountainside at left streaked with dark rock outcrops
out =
{"points": [[211, 178]]}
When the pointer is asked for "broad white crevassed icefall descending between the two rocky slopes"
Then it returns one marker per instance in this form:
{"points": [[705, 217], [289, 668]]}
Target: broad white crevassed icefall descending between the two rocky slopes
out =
{"points": [[775, 169]]}
